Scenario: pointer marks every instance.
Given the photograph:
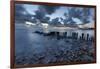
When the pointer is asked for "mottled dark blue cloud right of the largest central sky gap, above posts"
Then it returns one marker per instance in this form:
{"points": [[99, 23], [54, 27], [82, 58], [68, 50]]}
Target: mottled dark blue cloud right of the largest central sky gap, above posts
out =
{"points": [[83, 14]]}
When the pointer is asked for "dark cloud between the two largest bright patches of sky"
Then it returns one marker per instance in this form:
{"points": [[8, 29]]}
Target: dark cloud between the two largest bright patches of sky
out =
{"points": [[43, 11]]}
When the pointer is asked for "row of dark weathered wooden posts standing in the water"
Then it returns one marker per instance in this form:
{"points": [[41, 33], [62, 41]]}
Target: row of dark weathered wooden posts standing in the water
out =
{"points": [[74, 35]]}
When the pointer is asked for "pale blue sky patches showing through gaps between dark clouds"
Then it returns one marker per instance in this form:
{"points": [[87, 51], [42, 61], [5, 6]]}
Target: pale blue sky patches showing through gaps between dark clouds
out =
{"points": [[57, 13]]}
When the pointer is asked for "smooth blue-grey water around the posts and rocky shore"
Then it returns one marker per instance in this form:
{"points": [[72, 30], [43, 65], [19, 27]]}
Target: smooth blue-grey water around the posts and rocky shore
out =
{"points": [[28, 43]]}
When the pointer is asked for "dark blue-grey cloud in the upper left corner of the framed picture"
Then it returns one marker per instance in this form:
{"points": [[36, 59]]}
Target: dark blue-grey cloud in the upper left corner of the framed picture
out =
{"points": [[21, 14]]}
